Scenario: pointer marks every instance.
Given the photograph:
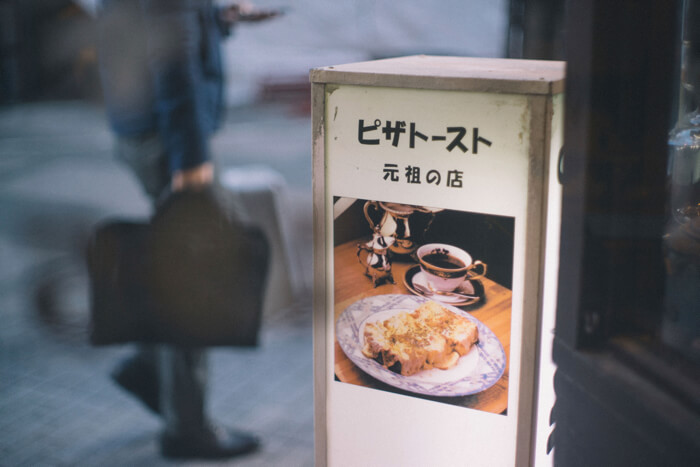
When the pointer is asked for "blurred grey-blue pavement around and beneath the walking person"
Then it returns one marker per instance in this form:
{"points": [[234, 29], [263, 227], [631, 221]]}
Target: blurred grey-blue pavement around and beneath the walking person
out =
{"points": [[57, 404]]}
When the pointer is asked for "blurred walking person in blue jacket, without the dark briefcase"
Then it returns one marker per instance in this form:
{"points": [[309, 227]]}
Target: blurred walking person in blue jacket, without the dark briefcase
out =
{"points": [[162, 78]]}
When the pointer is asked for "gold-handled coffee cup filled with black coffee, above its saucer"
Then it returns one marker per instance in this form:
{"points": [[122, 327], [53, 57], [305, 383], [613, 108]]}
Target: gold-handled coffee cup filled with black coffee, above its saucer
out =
{"points": [[445, 266]]}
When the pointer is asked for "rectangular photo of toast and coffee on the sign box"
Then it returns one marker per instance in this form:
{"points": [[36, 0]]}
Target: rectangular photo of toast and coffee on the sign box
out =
{"points": [[423, 301]]}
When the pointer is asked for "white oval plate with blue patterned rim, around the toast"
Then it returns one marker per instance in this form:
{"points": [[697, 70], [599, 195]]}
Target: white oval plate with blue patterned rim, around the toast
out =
{"points": [[474, 372]]}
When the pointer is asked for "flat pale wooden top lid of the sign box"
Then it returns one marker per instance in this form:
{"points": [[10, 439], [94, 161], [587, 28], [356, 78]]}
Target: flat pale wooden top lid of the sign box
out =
{"points": [[496, 75]]}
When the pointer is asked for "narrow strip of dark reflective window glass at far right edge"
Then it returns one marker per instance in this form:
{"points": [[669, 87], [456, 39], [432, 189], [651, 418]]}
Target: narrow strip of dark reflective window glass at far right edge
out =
{"points": [[681, 325]]}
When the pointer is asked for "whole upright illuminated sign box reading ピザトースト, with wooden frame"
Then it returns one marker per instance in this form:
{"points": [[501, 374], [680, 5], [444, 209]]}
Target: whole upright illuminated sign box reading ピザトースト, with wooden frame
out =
{"points": [[436, 209]]}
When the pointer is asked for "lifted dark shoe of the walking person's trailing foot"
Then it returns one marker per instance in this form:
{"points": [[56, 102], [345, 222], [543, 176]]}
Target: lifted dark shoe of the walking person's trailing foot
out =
{"points": [[139, 377]]}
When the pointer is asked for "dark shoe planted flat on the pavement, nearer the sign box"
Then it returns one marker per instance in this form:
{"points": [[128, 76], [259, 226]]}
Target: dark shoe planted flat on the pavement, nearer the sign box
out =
{"points": [[212, 443]]}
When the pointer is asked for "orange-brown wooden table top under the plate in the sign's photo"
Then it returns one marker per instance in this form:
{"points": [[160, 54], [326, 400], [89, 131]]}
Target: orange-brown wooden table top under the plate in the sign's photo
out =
{"points": [[494, 311]]}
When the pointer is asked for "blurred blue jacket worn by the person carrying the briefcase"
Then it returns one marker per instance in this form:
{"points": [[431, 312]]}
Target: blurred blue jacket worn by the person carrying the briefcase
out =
{"points": [[161, 72]]}
